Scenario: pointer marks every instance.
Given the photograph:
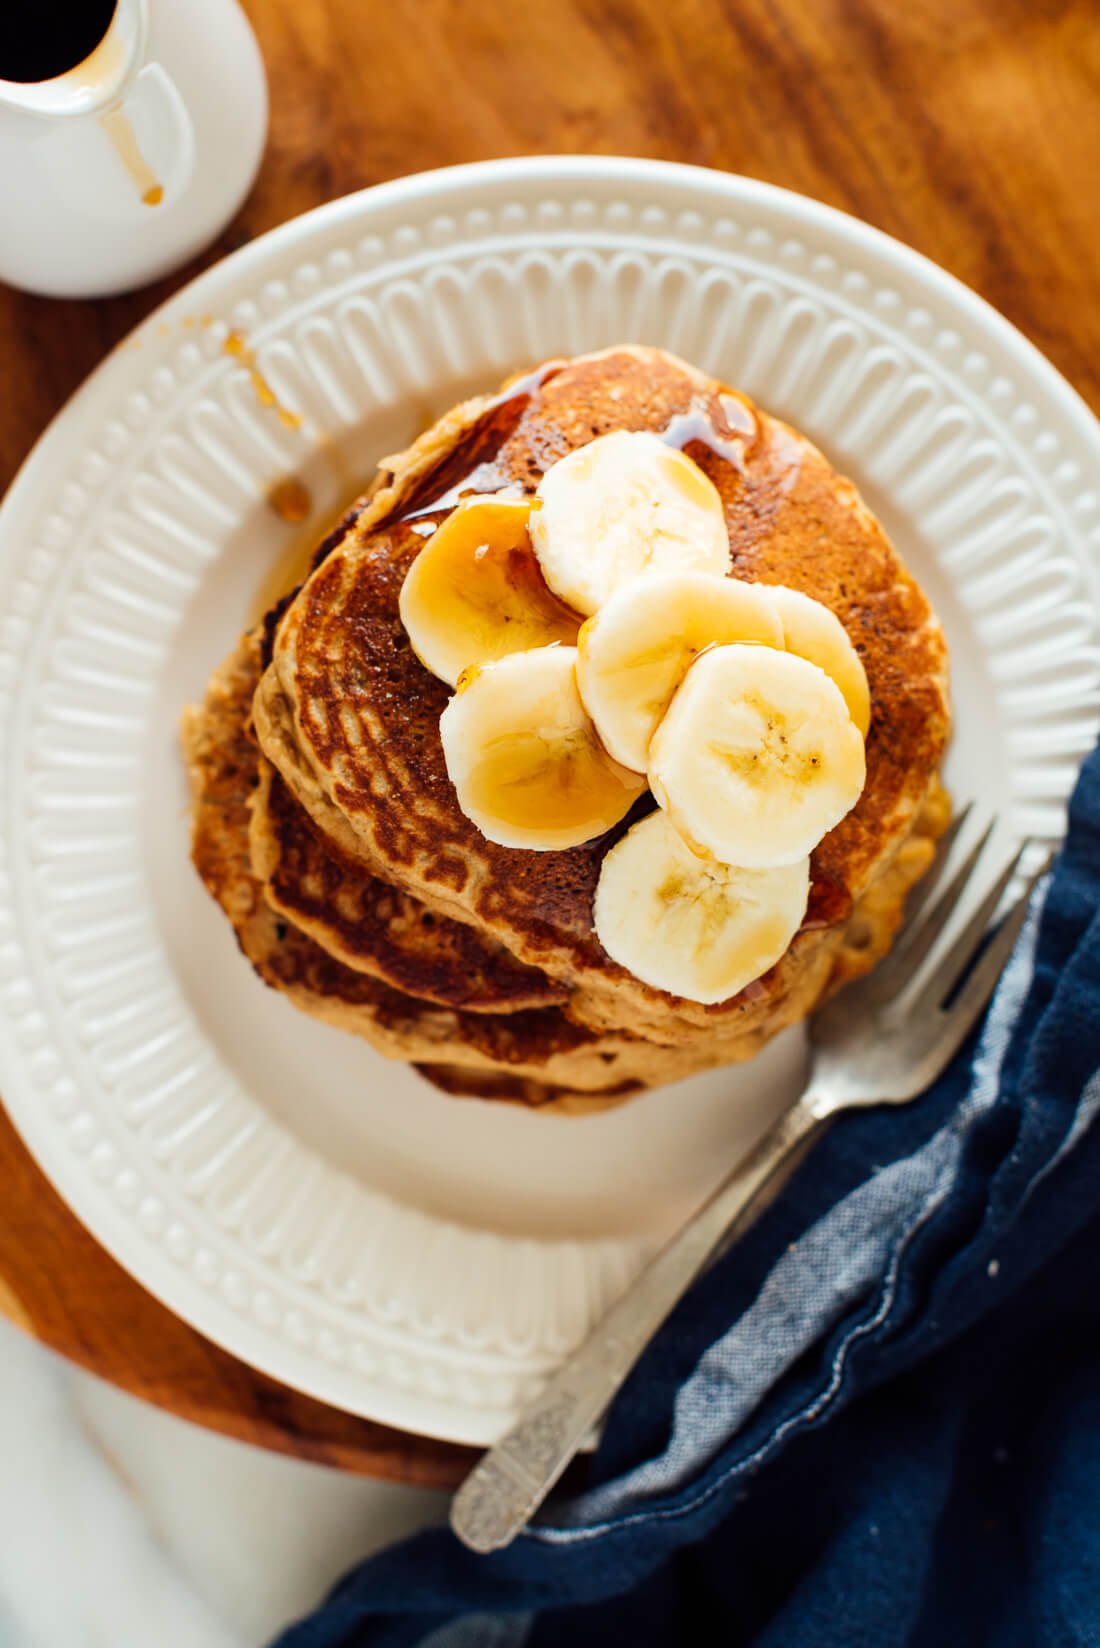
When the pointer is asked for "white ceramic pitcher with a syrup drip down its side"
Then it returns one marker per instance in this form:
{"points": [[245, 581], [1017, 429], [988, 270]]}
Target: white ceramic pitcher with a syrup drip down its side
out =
{"points": [[126, 166]]}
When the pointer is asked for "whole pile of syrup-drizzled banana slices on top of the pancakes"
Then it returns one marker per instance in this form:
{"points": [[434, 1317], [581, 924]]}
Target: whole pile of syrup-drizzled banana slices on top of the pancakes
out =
{"points": [[743, 706]]}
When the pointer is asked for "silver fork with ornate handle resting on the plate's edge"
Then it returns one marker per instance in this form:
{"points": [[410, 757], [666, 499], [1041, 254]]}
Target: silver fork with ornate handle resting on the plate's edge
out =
{"points": [[878, 1042]]}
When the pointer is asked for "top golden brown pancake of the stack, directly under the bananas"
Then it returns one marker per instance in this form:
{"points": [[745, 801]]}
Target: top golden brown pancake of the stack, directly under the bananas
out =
{"points": [[350, 718]]}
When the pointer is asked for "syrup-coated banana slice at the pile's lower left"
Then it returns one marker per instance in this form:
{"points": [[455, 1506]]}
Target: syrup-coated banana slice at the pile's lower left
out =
{"points": [[524, 754]]}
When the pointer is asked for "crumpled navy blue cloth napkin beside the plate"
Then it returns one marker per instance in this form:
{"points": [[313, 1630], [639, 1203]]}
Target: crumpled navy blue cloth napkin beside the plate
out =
{"points": [[877, 1421]]}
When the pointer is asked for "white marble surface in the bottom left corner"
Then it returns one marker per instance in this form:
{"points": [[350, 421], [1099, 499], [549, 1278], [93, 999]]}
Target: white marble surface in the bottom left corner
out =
{"points": [[125, 1527]]}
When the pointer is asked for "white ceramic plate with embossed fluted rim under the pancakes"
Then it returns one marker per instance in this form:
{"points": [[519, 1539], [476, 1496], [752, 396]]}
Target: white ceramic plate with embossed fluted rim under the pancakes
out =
{"points": [[319, 1212]]}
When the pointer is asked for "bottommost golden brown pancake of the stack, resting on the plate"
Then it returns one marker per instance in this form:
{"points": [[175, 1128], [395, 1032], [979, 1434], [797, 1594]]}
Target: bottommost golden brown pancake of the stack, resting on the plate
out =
{"points": [[494, 1064]]}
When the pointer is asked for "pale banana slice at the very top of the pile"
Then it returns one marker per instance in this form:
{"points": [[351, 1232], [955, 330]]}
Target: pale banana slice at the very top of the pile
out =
{"points": [[623, 507]]}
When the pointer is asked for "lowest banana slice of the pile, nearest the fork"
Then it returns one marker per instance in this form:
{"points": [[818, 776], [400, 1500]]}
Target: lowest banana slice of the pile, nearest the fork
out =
{"points": [[689, 925]]}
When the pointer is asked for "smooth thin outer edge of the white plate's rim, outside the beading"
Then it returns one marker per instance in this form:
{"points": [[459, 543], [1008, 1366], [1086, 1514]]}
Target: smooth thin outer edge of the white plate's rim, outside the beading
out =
{"points": [[111, 1225]]}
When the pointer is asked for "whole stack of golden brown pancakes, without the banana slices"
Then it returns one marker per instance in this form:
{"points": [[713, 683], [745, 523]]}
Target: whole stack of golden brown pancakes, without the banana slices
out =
{"points": [[329, 831]]}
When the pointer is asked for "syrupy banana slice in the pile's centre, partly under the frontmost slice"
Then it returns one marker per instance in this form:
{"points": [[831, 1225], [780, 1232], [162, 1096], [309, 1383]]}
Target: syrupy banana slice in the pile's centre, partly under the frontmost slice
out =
{"points": [[636, 652]]}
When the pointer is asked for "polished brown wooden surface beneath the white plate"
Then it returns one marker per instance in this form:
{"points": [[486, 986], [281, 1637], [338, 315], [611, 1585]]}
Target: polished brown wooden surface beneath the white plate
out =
{"points": [[969, 129]]}
